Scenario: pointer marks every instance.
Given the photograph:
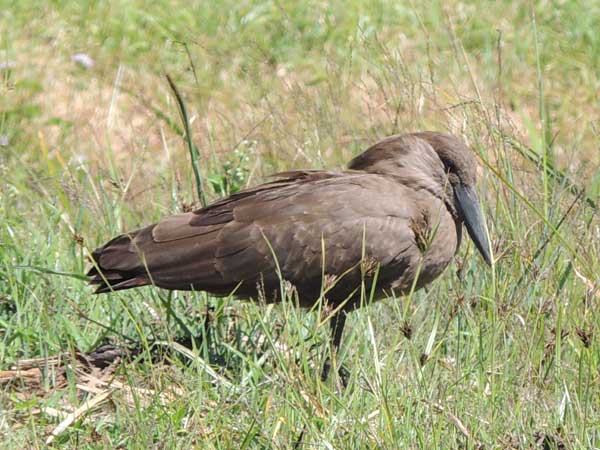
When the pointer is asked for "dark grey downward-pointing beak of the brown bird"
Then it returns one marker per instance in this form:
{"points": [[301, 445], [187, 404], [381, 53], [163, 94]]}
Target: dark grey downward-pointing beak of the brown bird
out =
{"points": [[468, 204]]}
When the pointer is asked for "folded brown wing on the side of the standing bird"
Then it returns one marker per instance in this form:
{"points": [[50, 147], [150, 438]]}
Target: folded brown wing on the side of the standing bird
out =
{"points": [[290, 226]]}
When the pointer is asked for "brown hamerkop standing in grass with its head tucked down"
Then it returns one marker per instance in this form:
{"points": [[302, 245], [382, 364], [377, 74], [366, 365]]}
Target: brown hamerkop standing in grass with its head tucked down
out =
{"points": [[395, 215]]}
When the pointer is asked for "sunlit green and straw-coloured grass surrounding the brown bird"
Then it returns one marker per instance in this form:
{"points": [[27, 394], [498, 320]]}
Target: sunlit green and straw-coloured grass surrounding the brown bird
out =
{"points": [[500, 358]]}
